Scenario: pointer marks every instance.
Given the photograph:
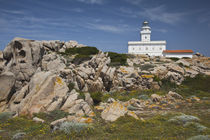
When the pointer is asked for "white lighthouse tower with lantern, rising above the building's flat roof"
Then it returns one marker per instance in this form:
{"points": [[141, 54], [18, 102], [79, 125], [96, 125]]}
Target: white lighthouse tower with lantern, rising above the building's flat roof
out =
{"points": [[145, 32]]}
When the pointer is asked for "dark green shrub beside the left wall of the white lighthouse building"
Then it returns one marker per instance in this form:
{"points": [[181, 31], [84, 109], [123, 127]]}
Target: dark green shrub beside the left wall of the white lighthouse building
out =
{"points": [[117, 59]]}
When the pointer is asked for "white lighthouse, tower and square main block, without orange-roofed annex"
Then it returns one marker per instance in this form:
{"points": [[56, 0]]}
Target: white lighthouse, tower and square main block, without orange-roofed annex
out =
{"points": [[146, 46]]}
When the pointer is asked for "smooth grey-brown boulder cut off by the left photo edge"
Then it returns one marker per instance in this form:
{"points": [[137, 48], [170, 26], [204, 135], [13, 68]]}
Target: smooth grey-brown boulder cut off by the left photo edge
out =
{"points": [[7, 81]]}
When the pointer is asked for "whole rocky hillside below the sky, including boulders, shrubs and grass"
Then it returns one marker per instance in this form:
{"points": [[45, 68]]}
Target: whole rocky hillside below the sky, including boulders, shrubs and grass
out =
{"points": [[55, 89]]}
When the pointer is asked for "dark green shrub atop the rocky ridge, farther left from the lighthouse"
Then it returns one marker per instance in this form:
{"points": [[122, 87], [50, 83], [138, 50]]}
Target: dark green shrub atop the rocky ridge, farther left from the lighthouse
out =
{"points": [[82, 51]]}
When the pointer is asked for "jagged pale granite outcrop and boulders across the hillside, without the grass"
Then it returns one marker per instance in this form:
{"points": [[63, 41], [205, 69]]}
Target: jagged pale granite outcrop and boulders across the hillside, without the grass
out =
{"points": [[36, 77]]}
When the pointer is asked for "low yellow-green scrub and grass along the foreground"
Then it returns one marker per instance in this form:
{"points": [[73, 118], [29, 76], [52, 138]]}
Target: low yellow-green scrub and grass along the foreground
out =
{"points": [[160, 126]]}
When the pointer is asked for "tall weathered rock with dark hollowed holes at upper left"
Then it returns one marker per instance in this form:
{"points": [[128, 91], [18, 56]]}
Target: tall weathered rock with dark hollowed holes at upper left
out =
{"points": [[22, 58]]}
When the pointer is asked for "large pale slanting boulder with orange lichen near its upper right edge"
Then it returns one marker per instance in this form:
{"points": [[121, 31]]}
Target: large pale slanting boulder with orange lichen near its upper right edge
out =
{"points": [[46, 93]]}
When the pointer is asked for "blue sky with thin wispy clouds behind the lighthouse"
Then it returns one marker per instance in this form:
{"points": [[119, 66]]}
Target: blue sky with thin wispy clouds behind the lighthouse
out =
{"points": [[108, 24]]}
